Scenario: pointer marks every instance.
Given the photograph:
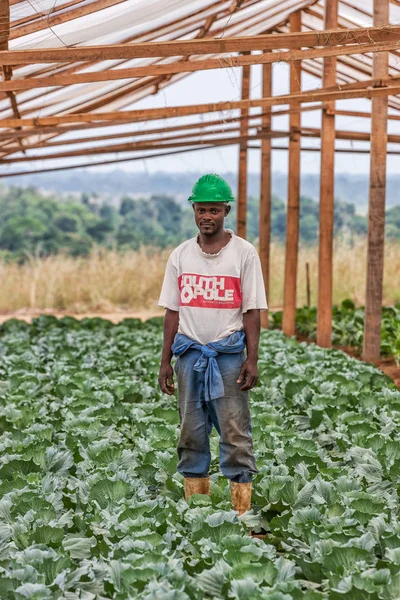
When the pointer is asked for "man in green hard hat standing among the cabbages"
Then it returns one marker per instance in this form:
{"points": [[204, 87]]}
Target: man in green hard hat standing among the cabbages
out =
{"points": [[213, 292]]}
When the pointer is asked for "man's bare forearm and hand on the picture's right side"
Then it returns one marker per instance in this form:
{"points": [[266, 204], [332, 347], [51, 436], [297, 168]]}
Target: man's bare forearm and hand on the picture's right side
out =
{"points": [[249, 371]]}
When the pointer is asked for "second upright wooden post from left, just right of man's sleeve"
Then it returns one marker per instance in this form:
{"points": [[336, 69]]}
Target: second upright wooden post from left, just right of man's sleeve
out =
{"points": [[265, 188]]}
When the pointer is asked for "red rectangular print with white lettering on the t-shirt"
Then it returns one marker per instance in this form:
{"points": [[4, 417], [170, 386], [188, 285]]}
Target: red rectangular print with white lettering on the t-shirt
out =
{"points": [[207, 291]]}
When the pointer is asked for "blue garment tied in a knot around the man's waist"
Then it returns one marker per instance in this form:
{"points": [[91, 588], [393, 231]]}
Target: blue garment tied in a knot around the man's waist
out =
{"points": [[207, 363]]}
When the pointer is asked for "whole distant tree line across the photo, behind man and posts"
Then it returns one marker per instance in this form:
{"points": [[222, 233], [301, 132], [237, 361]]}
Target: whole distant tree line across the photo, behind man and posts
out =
{"points": [[31, 223]]}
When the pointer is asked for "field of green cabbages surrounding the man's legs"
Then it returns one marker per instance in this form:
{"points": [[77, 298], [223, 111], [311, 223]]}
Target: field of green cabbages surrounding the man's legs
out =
{"points": [[91, 506]]}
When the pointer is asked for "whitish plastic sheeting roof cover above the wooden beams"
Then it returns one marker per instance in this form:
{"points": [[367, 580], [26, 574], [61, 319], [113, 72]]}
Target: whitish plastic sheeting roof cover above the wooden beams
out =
{"points": [[36, 24]]}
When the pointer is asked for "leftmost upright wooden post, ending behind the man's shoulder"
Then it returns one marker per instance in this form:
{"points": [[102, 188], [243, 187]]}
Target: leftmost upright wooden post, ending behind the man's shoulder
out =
{"points": [[241, 215]]}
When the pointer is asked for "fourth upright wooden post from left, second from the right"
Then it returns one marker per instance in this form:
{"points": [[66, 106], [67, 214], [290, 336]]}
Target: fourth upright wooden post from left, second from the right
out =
{"points": [[327, 199]]}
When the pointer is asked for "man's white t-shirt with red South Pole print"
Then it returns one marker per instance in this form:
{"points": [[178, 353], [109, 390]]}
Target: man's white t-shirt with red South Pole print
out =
{"points": [[212, 291]]}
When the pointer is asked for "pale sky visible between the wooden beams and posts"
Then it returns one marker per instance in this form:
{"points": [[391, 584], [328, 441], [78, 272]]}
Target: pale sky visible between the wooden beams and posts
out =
{"points": [[224, 84]]}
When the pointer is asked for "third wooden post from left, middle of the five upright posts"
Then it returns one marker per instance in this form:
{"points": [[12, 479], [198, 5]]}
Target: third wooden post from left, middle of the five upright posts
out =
{"points": [[293, 205]]}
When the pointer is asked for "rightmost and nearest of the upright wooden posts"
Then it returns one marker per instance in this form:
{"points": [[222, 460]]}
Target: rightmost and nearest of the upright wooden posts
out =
{"points": [[377, 199]]}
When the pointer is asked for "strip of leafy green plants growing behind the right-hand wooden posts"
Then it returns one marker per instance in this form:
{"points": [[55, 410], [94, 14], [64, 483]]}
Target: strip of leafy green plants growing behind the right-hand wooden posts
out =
{"points": [[348, 326]]}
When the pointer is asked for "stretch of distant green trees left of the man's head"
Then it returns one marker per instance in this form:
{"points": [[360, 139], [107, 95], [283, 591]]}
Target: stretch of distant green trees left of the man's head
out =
{"points": [[32, 224]]}
